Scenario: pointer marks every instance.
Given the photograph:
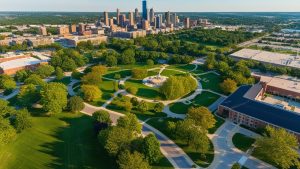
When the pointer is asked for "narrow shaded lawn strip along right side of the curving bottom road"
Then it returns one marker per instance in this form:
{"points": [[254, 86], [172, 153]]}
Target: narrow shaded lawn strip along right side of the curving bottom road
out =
{"points": [[160, 124]]}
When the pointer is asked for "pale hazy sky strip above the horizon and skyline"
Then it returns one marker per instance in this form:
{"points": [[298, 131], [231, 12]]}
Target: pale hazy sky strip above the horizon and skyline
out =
{"points": [[159, 5]]}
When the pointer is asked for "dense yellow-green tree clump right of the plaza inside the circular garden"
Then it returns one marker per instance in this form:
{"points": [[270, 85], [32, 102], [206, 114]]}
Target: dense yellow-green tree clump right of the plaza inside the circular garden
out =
{"points": [[178, 86]]}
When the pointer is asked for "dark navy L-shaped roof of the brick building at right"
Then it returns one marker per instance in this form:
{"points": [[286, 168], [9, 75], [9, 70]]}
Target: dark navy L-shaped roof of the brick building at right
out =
{"points": [[262, 111]]}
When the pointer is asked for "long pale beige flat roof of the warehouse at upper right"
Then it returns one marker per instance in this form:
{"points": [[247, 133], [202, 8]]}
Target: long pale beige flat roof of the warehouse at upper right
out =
{"points": [[269, 57]]}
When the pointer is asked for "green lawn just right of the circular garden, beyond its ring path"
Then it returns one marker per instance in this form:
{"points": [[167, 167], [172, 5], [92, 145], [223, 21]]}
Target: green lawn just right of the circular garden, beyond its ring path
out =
{"points": [[211, 81]]}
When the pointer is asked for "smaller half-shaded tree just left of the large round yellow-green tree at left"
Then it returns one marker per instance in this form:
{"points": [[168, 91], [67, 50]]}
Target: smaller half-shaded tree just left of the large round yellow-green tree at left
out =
{"points": [[28, 95]]}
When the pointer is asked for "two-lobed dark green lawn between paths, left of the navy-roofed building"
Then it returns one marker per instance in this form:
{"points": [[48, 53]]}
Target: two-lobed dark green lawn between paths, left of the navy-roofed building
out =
{"points": [[204, 99]]}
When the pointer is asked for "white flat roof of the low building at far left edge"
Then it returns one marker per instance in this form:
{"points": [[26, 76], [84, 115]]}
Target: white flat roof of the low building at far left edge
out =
{"points": [[22, 62]]}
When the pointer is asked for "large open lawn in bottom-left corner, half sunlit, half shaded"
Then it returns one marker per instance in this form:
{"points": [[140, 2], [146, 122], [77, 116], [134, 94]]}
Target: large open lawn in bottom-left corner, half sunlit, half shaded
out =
{"points": [[62, 141]]}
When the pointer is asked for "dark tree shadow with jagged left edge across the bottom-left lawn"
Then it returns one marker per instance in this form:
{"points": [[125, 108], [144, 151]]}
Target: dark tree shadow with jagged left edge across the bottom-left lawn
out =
{"points": [[76, 146]]}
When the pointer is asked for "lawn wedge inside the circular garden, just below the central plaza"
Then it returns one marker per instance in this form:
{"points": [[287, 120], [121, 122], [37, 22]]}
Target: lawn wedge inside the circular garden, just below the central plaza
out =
{"points": [[143, 90]]}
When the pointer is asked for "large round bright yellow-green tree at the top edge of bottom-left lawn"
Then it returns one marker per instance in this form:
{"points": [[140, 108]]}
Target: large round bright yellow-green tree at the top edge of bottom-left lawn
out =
{"points": [[54, 97]]}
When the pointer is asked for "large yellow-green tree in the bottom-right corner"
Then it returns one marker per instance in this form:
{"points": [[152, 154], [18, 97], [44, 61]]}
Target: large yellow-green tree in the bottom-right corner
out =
{"points": [[278, 146]]}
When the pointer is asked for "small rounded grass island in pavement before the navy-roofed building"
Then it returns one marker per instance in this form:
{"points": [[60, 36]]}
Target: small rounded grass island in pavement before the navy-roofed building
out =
{"points": [[242, 142]]}
